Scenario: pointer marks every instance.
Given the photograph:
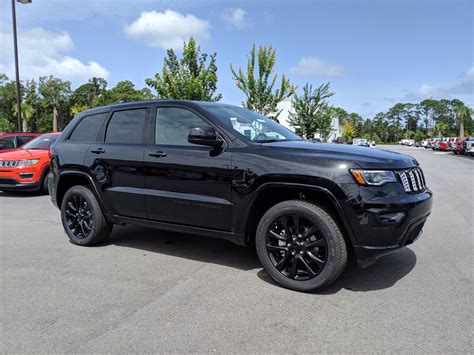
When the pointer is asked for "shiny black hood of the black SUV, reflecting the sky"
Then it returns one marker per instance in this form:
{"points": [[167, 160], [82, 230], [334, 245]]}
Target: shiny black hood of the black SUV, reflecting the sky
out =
{"points": [[365, 157]]}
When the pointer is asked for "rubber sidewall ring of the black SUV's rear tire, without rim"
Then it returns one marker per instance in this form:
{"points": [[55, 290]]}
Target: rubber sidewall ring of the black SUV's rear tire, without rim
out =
{"points": [[87, 195]]}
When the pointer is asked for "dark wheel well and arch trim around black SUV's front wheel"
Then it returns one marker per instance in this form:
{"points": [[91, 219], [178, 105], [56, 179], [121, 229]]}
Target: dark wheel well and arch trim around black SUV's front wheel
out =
{"points": [[269, 194]]}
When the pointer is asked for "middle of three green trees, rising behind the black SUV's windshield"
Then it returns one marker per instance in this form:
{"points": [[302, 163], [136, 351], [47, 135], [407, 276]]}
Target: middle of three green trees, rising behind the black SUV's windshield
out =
{"points": [[258, 82]]}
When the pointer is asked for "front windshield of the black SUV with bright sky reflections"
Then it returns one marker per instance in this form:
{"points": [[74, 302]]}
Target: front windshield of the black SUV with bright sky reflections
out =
{"points": [[251, 125]]}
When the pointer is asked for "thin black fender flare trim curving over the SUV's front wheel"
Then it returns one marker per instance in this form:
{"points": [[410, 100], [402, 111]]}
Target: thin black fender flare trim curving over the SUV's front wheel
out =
{"points": [[317, 188]]}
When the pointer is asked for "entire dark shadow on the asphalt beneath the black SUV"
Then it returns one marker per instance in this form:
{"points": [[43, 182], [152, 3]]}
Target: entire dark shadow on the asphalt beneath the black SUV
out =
{"points": [[385, 273]]}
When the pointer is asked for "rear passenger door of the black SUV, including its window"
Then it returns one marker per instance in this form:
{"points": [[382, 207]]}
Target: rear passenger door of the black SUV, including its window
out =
{"points": [[117, 162]]}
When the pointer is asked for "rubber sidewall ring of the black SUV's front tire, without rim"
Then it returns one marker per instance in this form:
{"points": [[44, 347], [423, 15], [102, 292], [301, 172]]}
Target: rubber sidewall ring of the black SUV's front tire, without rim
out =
{"points": [[331, 239]]}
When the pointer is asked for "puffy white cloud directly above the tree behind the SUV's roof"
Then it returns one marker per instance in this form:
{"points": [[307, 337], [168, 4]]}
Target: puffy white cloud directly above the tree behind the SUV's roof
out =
{"points": [[167, 29]]}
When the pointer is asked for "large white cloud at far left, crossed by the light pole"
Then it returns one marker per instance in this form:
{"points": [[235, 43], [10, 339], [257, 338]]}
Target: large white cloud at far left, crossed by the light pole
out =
{"points": [[43, 52]]}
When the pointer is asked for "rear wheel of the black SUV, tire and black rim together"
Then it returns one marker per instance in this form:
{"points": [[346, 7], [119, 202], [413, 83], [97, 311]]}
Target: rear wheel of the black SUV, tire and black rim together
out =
{"points": [[85, 224]]}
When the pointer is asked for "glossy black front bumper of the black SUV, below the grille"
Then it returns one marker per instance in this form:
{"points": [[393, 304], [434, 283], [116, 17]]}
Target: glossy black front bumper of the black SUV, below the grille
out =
{"points": [[385, 221]]}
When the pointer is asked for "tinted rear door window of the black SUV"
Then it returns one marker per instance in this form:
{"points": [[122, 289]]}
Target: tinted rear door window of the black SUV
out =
{"points": [[127, 127]]}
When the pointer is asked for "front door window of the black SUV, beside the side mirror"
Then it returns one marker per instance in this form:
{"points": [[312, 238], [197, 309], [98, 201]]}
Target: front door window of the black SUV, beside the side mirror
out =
{"points": [[173, 125]]}
